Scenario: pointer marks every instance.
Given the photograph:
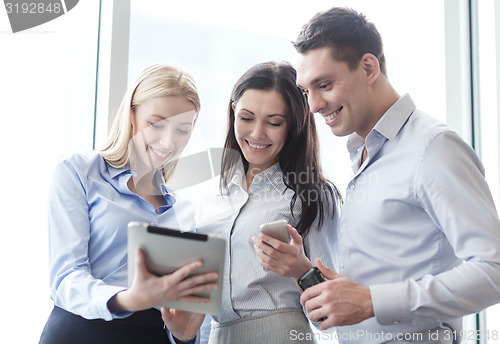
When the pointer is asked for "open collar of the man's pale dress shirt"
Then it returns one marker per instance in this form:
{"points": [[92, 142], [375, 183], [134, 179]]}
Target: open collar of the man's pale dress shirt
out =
{"points": [[389, 124]]}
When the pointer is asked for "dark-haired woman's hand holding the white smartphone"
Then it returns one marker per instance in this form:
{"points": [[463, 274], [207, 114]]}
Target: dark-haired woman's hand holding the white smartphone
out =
{"points": [[281, 258]]}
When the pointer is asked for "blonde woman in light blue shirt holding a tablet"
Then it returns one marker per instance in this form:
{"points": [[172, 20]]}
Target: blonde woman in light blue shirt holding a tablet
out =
{"points": [[93, 197]]}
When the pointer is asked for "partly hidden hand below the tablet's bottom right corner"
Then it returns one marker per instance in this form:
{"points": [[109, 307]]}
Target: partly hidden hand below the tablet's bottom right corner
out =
{"points": [[183, 325]]}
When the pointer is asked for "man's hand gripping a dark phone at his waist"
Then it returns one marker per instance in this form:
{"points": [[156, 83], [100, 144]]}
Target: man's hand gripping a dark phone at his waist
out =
{"points": [[339, 300]]}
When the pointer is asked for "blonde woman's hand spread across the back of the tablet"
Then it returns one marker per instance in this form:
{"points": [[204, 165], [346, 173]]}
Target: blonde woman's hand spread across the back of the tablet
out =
{"points": [[148, 290]]}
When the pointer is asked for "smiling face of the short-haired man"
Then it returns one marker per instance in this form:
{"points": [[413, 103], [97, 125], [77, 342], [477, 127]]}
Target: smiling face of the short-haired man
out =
{"points": [[338, 94]]}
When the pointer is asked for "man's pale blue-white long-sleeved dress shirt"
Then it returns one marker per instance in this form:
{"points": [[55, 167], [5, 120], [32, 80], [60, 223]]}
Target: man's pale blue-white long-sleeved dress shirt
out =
{"points": [[418, 226]]}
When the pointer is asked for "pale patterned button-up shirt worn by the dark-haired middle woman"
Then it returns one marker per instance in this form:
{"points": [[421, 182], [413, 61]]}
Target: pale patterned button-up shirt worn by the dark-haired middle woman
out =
{"points": [[236, 215]]}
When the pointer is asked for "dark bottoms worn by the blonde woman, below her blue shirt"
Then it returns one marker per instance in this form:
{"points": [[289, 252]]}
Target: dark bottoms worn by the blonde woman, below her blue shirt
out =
{"points": [[64, 327]]}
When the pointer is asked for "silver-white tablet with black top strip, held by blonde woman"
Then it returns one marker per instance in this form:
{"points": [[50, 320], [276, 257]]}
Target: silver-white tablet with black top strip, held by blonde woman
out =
{"points": [[166, 250]]}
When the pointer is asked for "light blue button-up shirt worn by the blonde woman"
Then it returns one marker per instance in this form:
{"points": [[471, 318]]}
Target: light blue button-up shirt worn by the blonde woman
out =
{"points": [[90, 206]]}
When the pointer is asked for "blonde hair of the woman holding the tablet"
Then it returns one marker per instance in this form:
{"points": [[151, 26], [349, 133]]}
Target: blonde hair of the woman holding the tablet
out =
{"points": [[155, 81]]}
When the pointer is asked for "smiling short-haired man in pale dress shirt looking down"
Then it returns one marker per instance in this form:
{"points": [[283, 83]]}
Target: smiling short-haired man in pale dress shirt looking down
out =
{"points": [[419, 237]]}
